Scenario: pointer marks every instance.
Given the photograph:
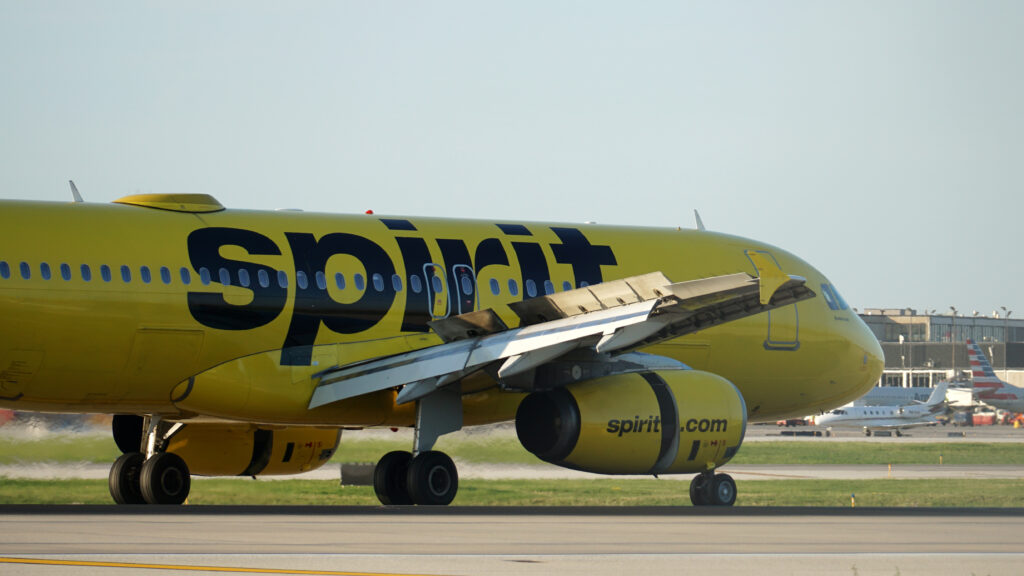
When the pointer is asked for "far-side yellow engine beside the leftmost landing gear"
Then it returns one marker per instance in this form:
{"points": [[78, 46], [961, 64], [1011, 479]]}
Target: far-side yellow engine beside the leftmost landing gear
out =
{"points": [[249, 450]]}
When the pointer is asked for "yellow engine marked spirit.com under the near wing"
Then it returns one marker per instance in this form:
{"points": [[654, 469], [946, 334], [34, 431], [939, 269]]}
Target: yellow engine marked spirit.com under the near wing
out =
{"points": [[649, 423]]}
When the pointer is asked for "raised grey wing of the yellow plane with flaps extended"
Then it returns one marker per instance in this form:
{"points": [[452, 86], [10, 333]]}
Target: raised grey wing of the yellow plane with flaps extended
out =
{"points": [[609, 319]]}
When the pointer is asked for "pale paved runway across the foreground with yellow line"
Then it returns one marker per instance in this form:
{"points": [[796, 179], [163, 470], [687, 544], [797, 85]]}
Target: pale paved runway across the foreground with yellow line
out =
{"points": [[493, 541]]}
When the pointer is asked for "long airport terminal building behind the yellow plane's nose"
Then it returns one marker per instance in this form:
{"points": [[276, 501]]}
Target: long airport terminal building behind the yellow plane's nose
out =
{"points": [[925, 349]]}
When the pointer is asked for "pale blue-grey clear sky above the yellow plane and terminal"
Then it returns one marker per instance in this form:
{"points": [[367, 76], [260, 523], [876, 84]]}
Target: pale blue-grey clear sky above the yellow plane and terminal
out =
{"points": [[882, 142]]}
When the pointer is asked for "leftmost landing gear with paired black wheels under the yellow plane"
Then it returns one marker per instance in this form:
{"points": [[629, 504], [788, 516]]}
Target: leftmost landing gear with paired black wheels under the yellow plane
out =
{"points": [[149, 476]]}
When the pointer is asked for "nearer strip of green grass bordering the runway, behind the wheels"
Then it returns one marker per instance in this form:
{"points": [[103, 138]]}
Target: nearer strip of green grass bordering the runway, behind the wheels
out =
{"points": [[908, 493]]}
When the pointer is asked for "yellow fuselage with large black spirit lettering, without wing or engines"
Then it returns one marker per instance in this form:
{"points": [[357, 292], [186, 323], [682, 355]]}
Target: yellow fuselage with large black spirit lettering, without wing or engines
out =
{"points": [[96, 314]]}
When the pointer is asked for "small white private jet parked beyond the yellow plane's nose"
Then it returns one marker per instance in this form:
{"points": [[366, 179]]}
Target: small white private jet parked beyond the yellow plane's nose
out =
{"points": [[887, 418]]}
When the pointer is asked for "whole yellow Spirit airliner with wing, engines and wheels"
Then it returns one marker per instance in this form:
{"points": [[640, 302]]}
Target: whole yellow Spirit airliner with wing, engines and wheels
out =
{"points": [[242, 343]]}
